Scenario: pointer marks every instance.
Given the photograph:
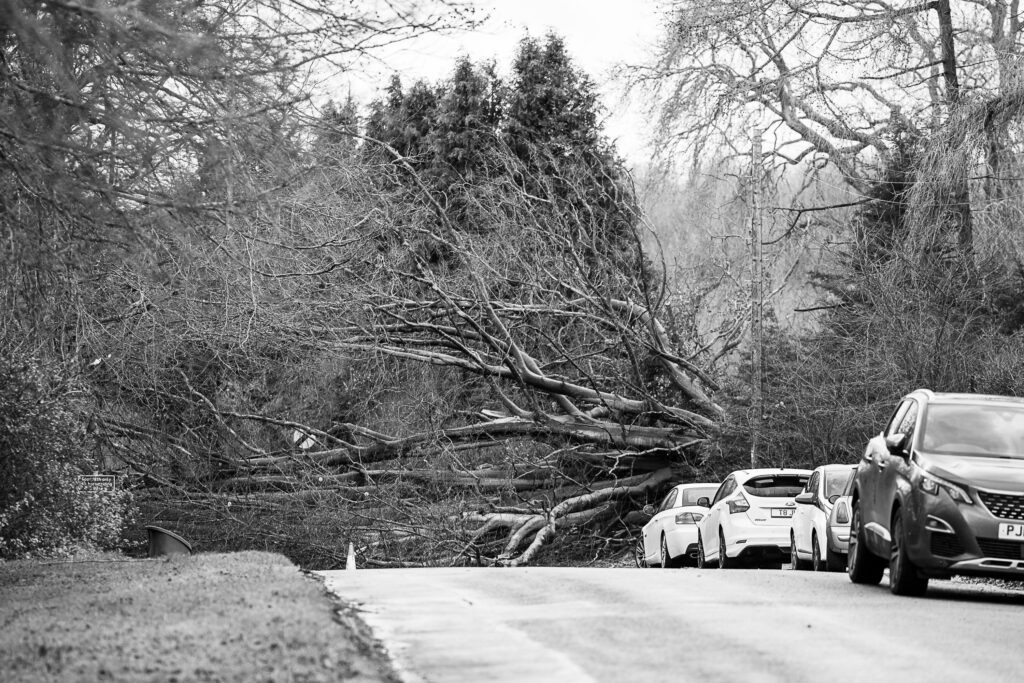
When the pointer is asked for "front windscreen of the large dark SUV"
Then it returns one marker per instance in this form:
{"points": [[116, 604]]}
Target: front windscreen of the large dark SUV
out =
{"points": [[996, 431]]}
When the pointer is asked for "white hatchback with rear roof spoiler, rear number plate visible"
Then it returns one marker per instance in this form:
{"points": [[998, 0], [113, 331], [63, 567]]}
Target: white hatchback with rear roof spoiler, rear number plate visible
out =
{"points": [[749, 519]]}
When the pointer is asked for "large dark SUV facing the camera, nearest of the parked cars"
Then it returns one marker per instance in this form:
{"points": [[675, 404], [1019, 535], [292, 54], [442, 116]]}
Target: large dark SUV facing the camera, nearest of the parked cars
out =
{"points": [[942, 493]]}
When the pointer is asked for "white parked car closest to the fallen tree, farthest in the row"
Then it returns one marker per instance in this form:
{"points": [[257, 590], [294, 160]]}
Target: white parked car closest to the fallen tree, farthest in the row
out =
{"points": [[670, 539]]}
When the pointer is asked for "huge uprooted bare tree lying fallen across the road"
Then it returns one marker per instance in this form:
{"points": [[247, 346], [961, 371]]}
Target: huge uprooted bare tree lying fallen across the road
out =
{"points": [[575, 403]]}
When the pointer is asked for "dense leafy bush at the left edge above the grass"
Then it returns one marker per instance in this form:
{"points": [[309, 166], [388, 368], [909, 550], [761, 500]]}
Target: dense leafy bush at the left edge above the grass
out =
{"points": [[45, 508]]}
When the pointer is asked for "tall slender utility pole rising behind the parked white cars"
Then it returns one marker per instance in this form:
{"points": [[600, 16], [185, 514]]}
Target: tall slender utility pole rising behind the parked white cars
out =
{"points": [[757, 300]]}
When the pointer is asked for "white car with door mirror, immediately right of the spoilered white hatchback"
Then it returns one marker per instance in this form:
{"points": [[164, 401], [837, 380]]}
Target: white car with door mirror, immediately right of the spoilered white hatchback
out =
{"points": [[808, 545]]}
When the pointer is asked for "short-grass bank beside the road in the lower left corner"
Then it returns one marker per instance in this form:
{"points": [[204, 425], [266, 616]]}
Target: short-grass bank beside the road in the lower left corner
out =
{"points": [[242, 617]]}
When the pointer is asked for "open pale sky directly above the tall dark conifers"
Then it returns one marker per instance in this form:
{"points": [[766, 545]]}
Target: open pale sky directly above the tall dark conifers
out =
{"points": [[599, 34]]}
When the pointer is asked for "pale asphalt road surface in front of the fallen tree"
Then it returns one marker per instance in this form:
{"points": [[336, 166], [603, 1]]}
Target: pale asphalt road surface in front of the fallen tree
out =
{"points": [[685, 625]]}
